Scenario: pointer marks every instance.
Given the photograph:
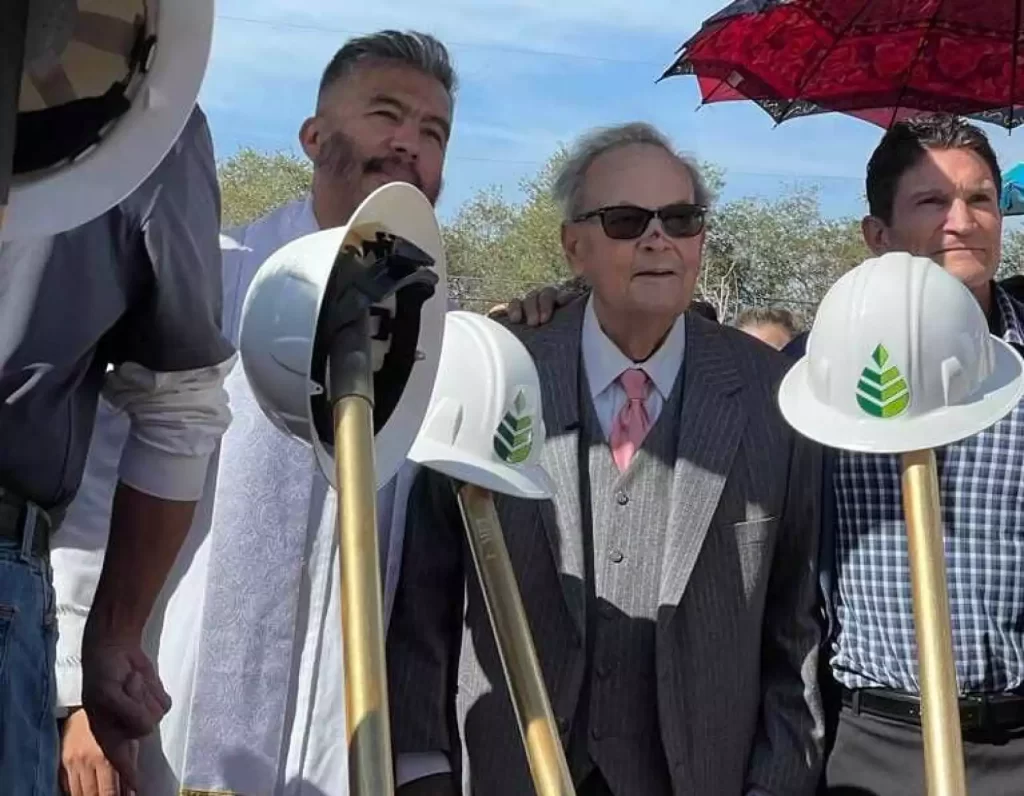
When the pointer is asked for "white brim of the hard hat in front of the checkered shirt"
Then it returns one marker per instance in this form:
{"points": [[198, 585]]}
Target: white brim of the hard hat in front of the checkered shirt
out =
{"points": [[816, 421]]}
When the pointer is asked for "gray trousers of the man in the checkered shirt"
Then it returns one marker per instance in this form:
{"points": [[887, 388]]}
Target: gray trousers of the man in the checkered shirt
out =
{"points": [[879, 758]]}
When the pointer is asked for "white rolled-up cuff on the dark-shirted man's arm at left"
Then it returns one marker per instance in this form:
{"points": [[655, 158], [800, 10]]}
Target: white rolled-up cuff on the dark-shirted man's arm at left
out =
{"points": [[177, 423]]}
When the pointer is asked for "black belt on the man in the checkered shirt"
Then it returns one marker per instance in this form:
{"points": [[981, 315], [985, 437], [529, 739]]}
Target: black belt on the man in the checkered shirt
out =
{"points": [[982, 713]]}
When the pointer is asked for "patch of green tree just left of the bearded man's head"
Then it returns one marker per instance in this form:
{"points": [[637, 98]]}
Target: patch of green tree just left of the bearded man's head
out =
{"points": [[254, 183]]}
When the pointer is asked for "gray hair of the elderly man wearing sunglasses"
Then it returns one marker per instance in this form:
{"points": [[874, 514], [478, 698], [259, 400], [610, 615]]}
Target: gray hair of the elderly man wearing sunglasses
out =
{"points": [[571, 178]]}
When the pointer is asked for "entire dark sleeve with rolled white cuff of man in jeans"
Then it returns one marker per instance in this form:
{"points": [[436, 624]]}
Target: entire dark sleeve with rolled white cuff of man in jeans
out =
{"points": [[170, 357]]}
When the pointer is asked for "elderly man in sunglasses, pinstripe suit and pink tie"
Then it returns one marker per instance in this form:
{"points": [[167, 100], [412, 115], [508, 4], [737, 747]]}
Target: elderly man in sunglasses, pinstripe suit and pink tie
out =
{"points": [[670, 584]]}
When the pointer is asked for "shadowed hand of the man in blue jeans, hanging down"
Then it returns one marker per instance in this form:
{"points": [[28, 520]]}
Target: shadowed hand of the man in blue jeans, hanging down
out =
{"points": [[124, 700]]}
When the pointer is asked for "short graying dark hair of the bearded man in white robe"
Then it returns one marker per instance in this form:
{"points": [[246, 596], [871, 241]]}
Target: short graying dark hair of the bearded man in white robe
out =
{"points": [[419, 51]]}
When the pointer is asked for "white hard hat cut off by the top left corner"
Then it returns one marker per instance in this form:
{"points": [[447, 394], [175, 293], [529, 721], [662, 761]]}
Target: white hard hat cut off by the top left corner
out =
{"points": [[107, 89]]}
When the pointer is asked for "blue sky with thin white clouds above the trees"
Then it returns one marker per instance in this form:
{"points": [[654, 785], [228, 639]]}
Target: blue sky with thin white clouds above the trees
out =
{"points": [[534, 74]]}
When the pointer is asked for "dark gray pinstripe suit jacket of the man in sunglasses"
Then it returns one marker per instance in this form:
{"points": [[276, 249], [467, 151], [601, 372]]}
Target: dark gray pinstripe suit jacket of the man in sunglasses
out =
{"points": [[737, 629]]}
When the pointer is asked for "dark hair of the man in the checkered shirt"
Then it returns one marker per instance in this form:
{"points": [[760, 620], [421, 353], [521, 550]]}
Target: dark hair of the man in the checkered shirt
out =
{"points": [[906, 144]]}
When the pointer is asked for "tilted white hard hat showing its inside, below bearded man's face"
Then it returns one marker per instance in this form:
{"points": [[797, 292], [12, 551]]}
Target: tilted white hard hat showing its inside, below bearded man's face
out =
{"points": [[282, 318]]}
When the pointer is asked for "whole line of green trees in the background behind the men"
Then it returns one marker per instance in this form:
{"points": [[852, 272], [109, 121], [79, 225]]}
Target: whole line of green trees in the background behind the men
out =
{"points": [[781, 252]]}
